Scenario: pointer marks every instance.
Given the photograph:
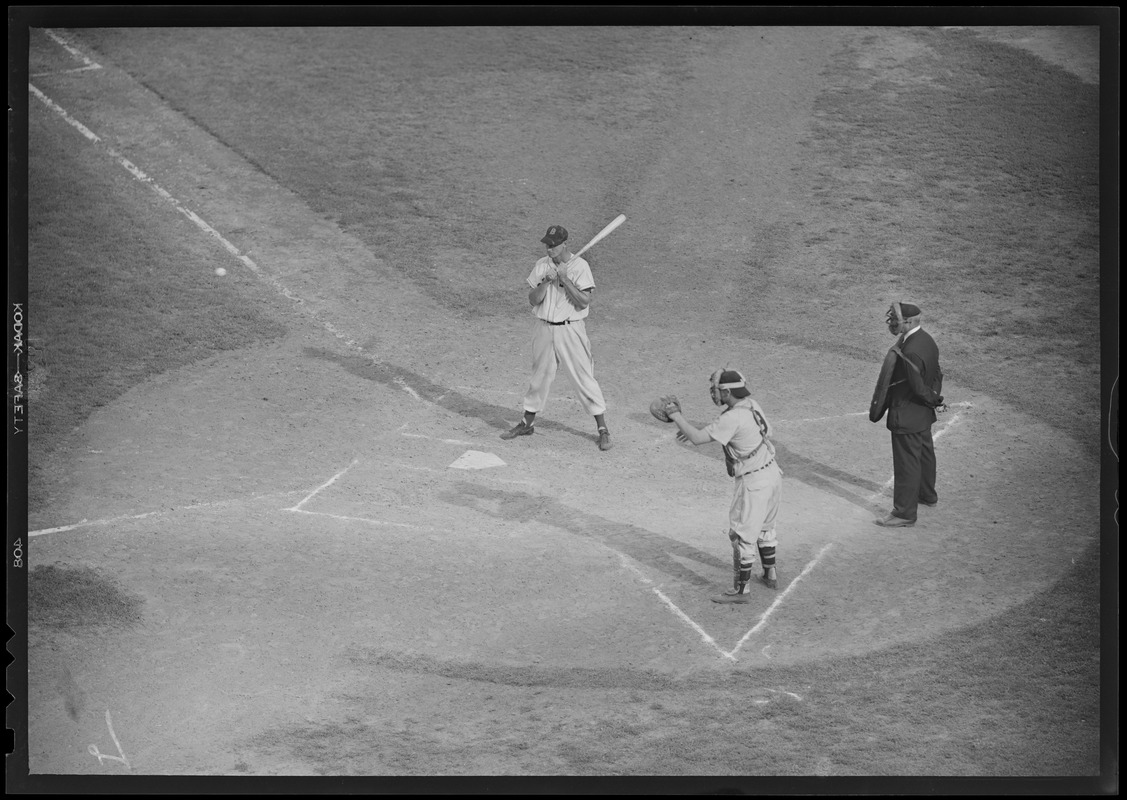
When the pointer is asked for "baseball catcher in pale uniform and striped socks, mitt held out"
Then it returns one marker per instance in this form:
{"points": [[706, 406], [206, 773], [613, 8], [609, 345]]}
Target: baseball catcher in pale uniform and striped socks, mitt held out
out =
{"points": [[744, 433]]}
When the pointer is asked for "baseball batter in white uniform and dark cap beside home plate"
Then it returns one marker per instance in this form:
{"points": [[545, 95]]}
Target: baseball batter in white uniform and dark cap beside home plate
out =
{"points": [[561, 292]]}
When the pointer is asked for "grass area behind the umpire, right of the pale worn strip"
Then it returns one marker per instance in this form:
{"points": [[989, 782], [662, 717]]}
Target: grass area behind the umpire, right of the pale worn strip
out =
{"points": [[980, 189]]}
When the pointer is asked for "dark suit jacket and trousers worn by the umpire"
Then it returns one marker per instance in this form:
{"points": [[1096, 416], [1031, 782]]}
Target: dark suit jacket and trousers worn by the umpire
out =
{"points": [[910, 419]]}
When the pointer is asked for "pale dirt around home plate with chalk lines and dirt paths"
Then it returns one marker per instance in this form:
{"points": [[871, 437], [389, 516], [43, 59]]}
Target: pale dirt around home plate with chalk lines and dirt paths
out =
{"points": [[342, 565]]}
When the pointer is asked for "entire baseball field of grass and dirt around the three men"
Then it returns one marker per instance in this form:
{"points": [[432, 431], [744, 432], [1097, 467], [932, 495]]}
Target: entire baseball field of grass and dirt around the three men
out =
{"points": [[273, 531]]}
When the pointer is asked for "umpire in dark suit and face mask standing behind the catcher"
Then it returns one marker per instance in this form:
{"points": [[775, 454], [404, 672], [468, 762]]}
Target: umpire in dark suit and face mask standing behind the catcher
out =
{"points": [[913, 397]]}
